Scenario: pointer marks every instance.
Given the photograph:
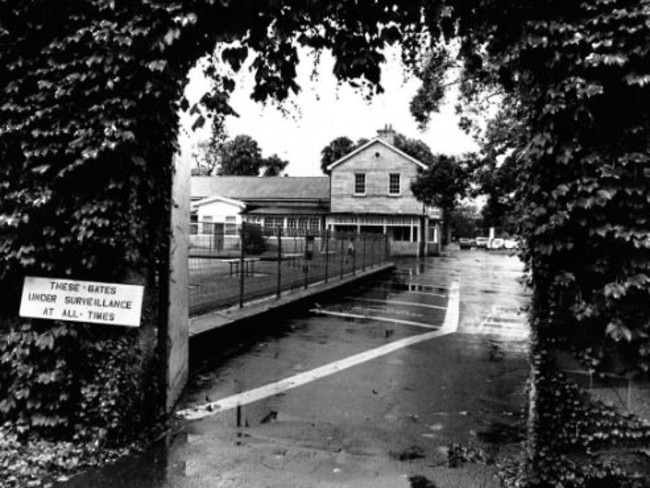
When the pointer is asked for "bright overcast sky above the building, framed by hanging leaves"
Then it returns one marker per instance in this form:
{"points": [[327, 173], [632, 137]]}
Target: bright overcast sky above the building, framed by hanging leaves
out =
{"points": [[322, 111]]}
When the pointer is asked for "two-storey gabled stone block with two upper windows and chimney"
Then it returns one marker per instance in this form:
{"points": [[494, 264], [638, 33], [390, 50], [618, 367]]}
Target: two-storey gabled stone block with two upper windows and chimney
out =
{"points": [[370, 191]]}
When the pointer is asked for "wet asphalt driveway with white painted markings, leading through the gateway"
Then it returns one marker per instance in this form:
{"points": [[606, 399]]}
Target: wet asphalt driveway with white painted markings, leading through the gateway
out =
{"points": [[368, 387]]}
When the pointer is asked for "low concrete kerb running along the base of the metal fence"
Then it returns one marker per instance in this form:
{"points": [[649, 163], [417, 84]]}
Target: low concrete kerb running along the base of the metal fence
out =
{"points": [[229, 316]]}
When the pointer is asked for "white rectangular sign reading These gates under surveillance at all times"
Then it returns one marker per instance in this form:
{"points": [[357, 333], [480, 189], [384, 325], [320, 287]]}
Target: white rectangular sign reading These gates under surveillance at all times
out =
{"points": [[81, 301]]}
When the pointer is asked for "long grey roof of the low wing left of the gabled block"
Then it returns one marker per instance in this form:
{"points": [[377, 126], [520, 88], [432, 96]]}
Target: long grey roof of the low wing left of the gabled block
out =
{"points": [[247, 188]]}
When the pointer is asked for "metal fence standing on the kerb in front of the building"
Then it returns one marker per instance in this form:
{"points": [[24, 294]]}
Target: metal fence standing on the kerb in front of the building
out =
{"points": [[271, 261]]}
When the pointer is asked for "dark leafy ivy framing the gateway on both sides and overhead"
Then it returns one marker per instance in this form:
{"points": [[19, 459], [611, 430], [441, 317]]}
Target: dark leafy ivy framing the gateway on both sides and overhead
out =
{"points": [[90, 95]]}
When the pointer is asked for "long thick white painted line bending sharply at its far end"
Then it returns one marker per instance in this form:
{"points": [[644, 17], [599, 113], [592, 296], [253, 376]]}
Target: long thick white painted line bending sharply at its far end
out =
{"points": [[449, 327]]}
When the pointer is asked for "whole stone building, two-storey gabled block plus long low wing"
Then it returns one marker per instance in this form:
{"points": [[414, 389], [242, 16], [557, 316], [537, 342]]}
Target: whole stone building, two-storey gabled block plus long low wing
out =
{"points": [[368, 190]]}
